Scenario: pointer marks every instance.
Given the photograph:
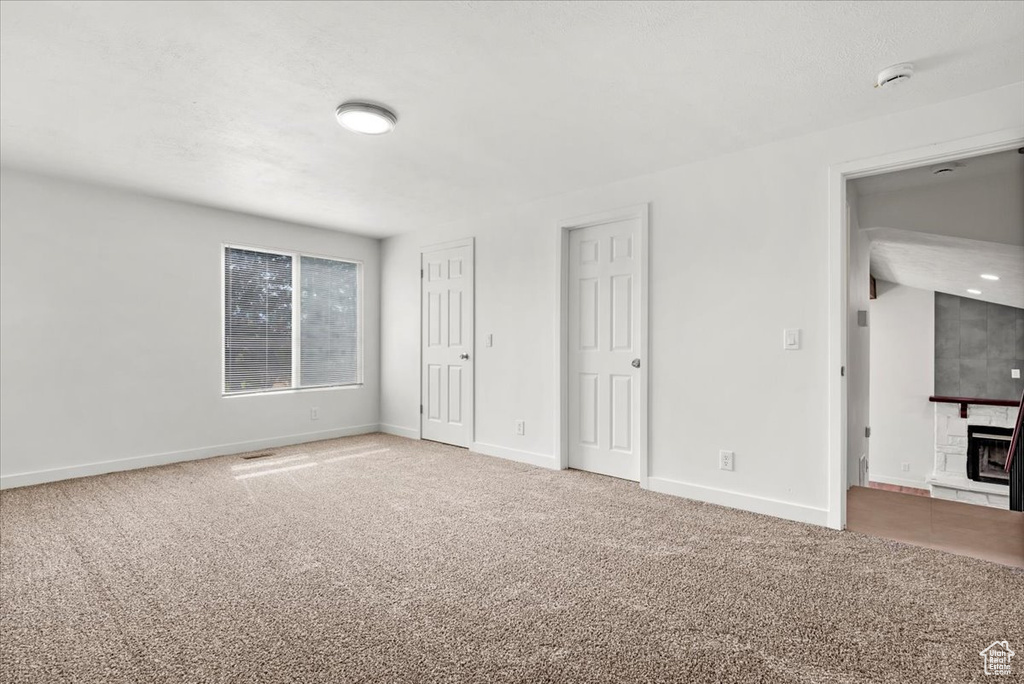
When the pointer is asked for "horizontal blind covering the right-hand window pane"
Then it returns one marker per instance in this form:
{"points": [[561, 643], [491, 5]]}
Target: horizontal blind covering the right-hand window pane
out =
{"points": [[330, 335]]}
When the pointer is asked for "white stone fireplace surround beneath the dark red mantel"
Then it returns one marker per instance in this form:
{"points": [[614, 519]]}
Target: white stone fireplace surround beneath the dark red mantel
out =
{"points": [[950, 479]]}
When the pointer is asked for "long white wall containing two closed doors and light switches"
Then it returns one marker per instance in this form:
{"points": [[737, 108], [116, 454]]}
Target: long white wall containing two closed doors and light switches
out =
{"points": [[739, 252]]}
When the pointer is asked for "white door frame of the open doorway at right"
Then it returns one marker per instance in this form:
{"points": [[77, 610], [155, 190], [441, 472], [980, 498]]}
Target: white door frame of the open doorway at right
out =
{"points": [[839, 246]]}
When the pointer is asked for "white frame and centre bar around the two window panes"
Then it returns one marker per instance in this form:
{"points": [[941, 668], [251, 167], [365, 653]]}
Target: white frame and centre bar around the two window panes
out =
{"points": [[296, 321]]}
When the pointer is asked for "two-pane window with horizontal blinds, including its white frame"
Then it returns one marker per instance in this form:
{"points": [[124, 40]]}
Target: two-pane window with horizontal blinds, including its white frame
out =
{"points": [[291, 322]]}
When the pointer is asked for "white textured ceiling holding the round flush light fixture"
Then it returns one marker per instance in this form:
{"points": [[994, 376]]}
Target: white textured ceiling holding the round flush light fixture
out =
{"points": [[231, 104]]}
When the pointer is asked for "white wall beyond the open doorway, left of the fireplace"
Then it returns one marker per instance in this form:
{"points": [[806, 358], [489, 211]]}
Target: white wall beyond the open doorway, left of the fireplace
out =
{"points": [[903, 379]]}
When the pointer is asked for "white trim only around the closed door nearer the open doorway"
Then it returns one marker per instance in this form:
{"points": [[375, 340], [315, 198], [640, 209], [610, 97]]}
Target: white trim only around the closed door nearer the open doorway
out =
{"points": [[643, 212]]}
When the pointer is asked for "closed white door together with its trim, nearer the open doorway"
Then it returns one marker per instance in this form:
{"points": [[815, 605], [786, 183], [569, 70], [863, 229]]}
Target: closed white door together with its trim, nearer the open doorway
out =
{"points": [[604, 358]]}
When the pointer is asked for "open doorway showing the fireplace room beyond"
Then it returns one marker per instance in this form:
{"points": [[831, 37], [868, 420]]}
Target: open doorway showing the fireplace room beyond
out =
{"points": [[934, 348]]}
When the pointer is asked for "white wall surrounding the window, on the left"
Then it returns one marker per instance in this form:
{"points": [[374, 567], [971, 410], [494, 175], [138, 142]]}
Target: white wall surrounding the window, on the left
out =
{"points": [[110, 324]]}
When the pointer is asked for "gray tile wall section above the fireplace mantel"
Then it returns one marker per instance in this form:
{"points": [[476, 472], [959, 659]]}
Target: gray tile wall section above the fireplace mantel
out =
{"points": [[976, 346]]}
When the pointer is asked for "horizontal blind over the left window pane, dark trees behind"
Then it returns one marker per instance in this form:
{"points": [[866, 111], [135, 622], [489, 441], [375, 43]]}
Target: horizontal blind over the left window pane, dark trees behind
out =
{"points": [[258, 321]]}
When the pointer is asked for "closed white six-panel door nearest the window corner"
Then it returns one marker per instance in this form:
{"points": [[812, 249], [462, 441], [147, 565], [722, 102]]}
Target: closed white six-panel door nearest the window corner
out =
{"points": [[447, 340]]}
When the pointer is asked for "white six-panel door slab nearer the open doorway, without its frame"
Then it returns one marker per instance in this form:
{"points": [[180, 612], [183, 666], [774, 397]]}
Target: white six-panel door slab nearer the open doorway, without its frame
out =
{"points": [[605, 345]]}
